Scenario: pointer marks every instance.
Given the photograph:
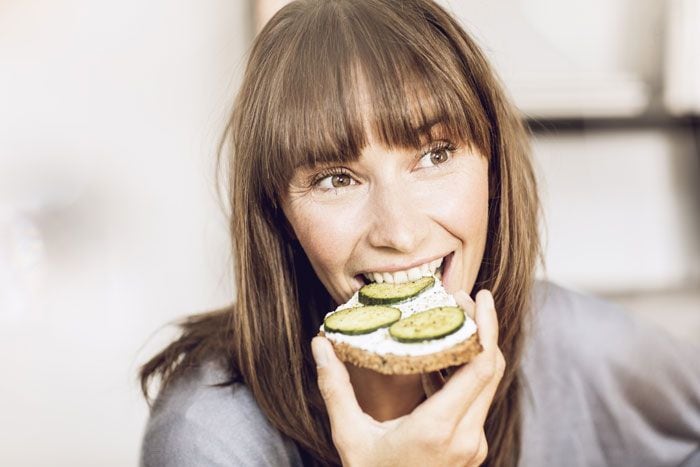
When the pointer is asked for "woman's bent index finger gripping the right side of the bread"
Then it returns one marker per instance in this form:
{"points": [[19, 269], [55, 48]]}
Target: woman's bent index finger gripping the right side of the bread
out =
{"points": [[453, 401]]}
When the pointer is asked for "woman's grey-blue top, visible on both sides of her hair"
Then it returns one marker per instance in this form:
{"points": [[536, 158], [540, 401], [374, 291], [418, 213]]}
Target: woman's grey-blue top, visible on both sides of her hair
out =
{"points": [[601, 389]]}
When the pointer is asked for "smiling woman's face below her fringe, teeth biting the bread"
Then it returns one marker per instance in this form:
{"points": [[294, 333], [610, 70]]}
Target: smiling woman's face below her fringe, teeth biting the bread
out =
{"points": [[392, 210]]}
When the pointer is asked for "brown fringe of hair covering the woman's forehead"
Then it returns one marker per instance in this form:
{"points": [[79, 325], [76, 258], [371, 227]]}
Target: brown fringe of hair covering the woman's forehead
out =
{"points": [[348, 72]]}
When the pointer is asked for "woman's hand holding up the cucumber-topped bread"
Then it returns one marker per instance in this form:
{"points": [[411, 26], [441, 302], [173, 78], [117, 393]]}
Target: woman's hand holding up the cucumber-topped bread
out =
{"points": [[446, 429]]}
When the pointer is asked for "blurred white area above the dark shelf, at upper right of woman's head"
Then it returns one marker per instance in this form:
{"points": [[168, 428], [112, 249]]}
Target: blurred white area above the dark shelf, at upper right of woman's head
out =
{"points": [[572, 57]]}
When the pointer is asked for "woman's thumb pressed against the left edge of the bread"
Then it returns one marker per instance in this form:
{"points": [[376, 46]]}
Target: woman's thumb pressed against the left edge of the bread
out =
{"points": [[334, 384]]}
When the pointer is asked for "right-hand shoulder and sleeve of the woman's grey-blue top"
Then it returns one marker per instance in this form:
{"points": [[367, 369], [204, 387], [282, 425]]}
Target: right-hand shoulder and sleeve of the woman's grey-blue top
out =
{"points": [[604, 388]]}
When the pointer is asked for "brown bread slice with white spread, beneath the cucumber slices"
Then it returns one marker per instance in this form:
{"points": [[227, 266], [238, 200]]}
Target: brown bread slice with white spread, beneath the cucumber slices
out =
{"points": [[379, 351]]}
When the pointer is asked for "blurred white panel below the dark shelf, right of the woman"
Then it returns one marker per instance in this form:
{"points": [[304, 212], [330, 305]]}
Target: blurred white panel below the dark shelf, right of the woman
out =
{"points": [[620, 209]]}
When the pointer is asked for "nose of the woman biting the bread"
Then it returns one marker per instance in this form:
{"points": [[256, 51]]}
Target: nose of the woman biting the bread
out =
{"points": [[397, 220]]}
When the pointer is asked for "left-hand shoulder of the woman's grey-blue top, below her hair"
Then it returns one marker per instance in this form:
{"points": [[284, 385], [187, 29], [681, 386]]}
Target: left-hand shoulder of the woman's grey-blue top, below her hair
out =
{"points": [[196, 422]]}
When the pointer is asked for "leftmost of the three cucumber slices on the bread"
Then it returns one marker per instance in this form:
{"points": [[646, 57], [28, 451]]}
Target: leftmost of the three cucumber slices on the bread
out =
{"points": [[361, 319]]}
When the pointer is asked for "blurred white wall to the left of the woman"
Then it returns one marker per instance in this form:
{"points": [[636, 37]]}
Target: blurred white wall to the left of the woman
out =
{"points": [[109, 225]]}
